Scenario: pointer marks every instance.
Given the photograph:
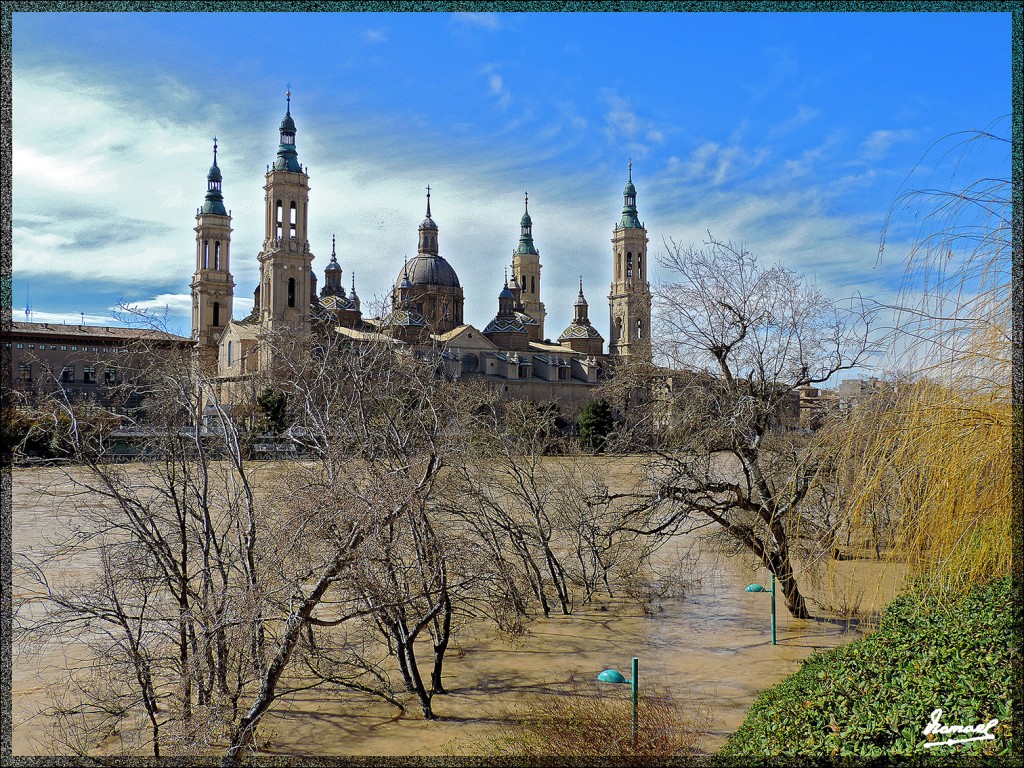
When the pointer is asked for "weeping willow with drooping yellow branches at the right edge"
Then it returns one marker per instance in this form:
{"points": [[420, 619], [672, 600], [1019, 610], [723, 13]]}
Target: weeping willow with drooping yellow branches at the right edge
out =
{"points": [[934, 461]]}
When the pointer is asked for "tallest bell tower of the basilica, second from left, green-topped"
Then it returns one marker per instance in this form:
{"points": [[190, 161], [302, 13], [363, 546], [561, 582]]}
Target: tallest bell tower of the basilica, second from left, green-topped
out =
{"points": [[286, 260]]}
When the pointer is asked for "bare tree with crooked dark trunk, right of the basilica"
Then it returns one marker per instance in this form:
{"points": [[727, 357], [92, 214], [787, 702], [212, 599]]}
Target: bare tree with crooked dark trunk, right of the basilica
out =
{"points": [[742, 340]]}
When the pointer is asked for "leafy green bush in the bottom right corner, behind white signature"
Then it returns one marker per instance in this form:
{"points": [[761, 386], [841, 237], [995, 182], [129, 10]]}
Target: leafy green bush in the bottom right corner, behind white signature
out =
{"points": [[875, 697]]}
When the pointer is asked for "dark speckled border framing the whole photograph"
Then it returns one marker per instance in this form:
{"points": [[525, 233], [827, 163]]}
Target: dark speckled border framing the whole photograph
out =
{"points": [[1017, 9]]}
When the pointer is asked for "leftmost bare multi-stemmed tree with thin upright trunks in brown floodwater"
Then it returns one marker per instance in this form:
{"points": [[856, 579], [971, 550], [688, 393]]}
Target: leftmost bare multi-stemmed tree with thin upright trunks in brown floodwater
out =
{"points": [[174, 543]]}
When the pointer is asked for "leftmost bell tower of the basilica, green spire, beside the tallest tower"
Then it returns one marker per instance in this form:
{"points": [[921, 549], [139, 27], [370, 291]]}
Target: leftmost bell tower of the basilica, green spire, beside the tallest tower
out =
{"points": [[212, 286]]}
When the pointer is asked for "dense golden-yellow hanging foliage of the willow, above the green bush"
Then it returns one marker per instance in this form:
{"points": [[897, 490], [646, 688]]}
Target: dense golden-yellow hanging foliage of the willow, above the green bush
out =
{"points": [[937, 459]]}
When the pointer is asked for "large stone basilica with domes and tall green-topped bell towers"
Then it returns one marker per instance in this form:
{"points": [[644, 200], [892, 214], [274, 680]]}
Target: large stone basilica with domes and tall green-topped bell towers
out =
{"points": [[425, 305]]}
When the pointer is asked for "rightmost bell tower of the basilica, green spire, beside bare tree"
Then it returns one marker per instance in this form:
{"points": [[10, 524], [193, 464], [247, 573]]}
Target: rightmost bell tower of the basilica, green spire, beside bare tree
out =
{"points": [[629, 301]]}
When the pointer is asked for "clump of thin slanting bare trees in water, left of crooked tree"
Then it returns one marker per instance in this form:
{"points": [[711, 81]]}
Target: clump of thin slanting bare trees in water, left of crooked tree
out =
{"points": [[548, 522]]}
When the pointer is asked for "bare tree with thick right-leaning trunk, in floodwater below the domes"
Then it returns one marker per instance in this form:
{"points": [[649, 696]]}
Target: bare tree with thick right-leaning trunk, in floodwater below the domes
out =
{"points": [[377, 423]]}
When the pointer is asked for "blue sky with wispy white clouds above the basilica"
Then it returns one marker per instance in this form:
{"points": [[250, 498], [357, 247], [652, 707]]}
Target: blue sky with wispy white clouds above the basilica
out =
{"points": [[790, 133]]}
